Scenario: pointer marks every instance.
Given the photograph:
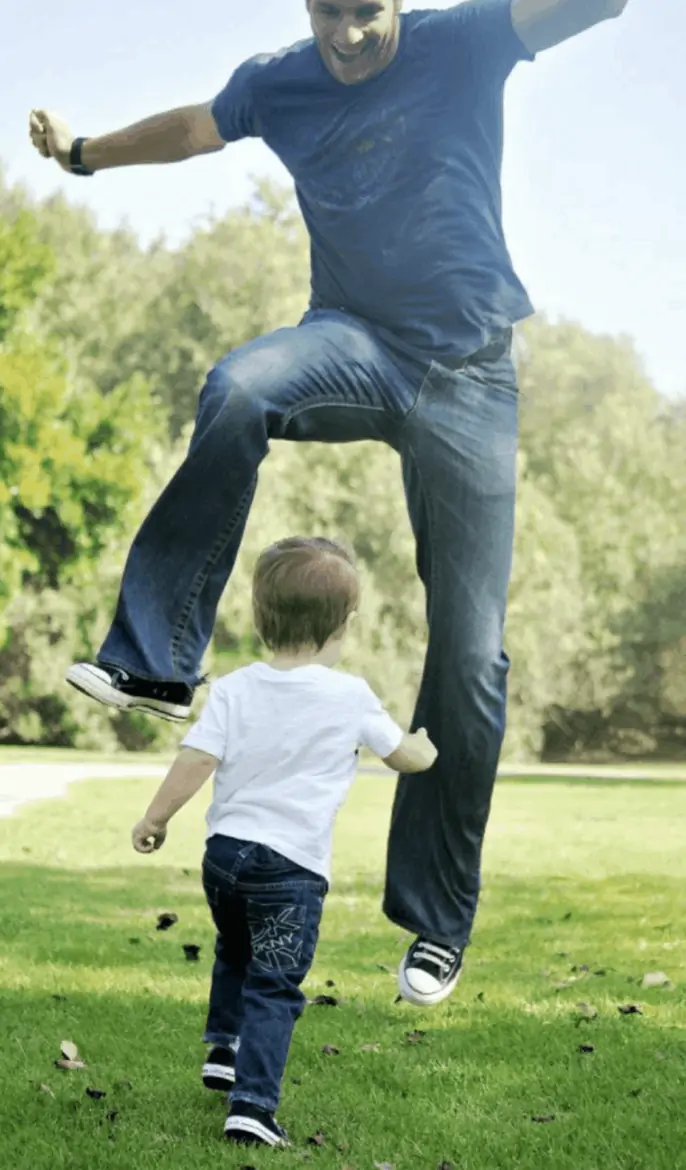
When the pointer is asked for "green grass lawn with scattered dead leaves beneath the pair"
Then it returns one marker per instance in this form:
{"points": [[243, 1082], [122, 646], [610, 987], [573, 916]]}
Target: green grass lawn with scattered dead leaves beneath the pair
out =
{"points": [[584, 894]]}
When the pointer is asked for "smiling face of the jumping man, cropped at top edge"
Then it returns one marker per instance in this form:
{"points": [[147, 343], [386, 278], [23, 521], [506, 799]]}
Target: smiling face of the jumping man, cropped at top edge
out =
{"points": [[356, 39]]}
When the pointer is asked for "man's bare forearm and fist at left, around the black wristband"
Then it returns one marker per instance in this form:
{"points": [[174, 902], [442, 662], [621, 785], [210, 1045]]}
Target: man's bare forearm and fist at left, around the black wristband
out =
{"points": [[168, 137]]}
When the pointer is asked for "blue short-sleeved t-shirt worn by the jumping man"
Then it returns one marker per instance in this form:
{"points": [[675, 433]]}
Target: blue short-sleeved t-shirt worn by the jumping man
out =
{"points": [[399, 177]]}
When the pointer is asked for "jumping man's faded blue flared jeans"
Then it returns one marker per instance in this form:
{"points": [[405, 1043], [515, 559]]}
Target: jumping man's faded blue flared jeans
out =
{"points": [[331, 380]]}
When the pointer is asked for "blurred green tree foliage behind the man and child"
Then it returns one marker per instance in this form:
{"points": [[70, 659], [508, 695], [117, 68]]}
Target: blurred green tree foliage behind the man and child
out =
{"points": [[104, 349]]}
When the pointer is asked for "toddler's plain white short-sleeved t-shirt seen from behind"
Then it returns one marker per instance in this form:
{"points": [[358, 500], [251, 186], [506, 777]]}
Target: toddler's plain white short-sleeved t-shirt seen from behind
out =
{"points": [[286, 742]]}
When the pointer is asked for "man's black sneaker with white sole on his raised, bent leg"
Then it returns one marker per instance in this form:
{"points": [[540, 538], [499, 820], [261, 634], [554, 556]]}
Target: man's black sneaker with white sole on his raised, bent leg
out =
{"points": [[114, 687]]}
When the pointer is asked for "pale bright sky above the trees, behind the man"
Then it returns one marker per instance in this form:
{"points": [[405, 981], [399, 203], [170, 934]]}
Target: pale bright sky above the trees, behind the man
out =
{"points": [[595, 176]]}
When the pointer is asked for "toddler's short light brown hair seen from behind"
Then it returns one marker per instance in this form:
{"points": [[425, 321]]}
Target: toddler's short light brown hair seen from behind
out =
{"points": [[304, 591]]}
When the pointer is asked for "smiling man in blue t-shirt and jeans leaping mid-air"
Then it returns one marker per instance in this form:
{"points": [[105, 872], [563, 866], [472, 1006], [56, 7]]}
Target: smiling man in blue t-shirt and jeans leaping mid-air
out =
{"points": [[392, 128]]}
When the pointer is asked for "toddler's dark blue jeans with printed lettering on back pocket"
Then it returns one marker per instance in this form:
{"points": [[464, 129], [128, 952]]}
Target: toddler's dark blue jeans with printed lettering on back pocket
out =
{"points": [[267, 913]]}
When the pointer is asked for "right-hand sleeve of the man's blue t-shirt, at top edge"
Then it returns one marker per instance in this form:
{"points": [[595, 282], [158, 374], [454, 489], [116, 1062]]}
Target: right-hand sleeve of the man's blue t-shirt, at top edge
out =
{"points": [[485, 30]]}
